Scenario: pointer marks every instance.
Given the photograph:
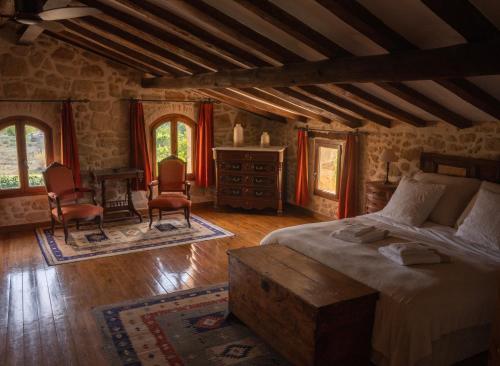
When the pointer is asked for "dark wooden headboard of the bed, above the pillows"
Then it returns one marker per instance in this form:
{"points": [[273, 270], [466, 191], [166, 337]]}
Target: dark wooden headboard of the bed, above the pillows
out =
{"points": [[483, 169]]}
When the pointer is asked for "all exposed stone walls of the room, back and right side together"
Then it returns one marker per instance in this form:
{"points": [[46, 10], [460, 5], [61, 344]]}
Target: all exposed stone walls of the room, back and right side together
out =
{"points": [[51, 69]]}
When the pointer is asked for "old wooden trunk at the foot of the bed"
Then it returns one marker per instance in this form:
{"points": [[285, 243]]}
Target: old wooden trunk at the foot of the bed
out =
{"points": [[313, 315]]}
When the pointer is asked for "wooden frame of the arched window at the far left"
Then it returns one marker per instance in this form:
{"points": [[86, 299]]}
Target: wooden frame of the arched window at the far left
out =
{"points": [[20, 123]]}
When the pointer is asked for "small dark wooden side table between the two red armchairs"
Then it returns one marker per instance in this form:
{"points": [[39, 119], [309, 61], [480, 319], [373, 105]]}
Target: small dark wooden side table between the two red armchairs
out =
{"points": [[101, 176]]}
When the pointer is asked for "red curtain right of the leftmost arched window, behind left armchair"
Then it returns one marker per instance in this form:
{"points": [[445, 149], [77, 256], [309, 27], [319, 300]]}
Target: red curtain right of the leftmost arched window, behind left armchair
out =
{"points": [[69, 147]]}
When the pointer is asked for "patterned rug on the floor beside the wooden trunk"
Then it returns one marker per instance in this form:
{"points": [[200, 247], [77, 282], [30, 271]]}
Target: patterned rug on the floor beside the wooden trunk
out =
{"points": [[183, 328]]}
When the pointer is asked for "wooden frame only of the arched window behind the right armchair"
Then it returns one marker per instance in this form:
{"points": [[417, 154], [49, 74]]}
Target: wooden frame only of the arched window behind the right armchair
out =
{"points": [[173, 119]]}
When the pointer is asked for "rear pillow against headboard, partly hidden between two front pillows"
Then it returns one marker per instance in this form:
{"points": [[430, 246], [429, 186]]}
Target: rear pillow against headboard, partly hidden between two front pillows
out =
{"points": [[456, 196]]}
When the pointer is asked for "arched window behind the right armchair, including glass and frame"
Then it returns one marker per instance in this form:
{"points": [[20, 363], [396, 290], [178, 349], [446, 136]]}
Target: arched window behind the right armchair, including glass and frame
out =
{"points": [[173, 134]]}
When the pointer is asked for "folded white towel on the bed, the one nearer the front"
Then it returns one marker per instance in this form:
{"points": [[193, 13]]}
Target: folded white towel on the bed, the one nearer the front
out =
{"points": [[411, 253]]}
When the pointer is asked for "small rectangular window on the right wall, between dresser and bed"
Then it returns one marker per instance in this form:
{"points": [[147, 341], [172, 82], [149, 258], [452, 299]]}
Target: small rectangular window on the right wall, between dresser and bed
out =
{"points": [[327, 158]]}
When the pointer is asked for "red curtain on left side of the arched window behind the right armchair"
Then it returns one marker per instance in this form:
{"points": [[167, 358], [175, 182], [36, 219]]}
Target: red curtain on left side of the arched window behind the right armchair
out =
{"points": [[139, 157]]}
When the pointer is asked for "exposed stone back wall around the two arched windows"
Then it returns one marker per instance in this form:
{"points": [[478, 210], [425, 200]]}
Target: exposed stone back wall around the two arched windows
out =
{"points": [[51, 70]]}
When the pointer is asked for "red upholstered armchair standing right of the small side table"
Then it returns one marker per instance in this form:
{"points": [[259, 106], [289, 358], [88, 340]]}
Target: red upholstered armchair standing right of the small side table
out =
{"points": [[173, 189]]}
